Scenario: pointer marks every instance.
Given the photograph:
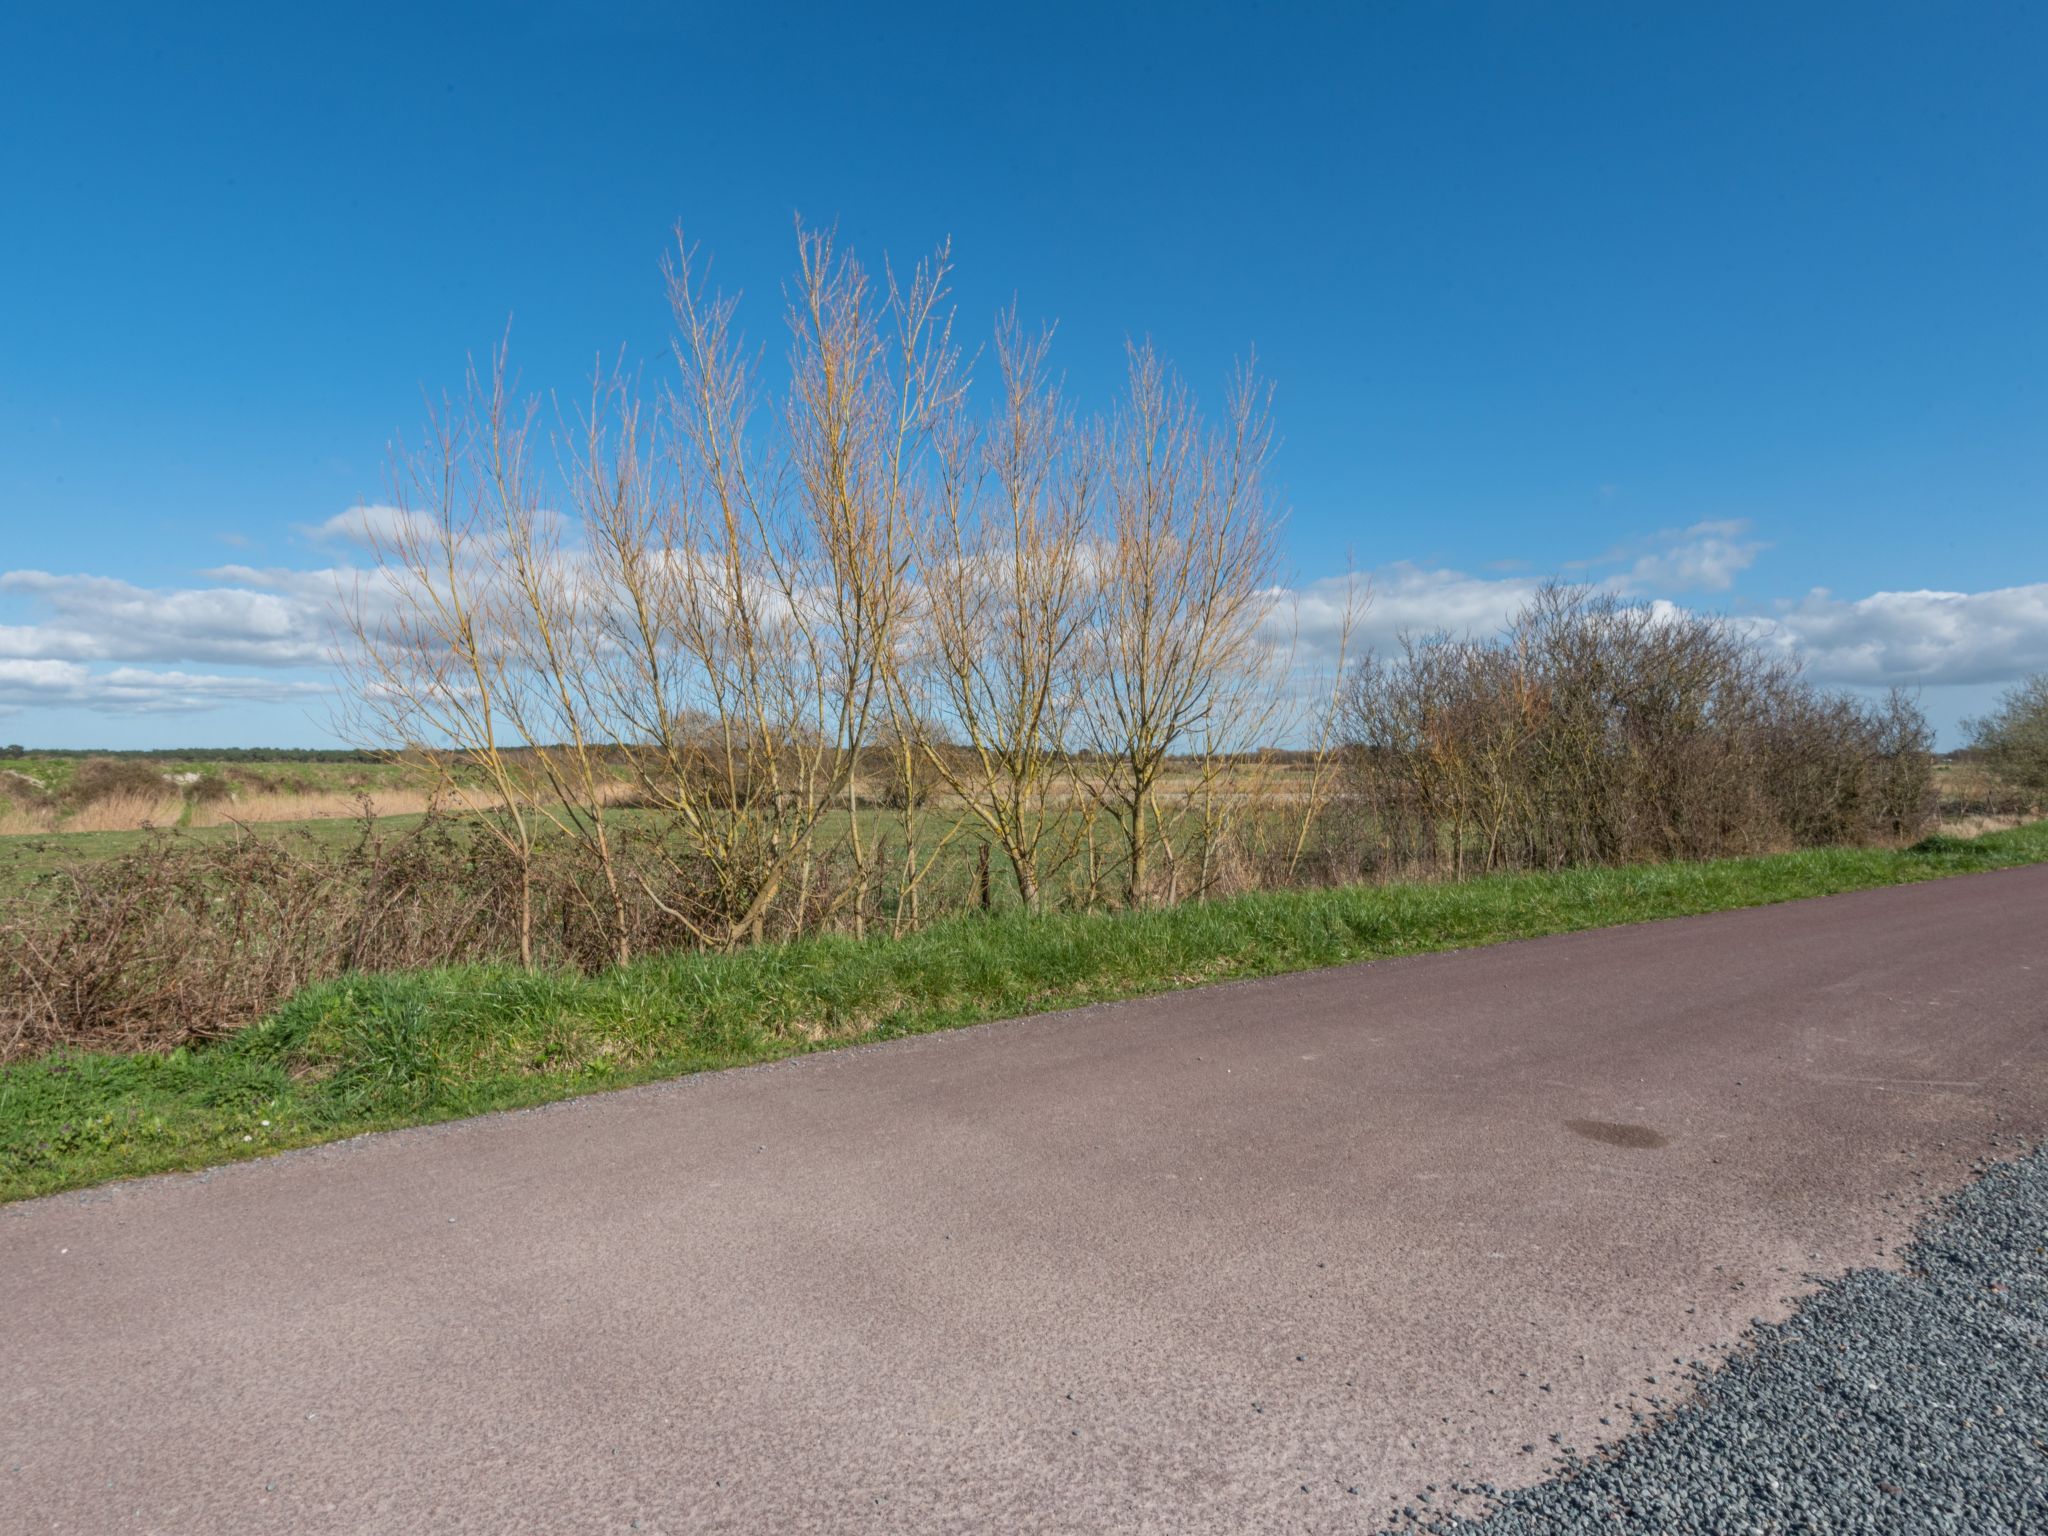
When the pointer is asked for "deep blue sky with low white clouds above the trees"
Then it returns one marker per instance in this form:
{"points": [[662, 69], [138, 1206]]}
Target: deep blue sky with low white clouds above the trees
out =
{"points": [[1734, 306]]}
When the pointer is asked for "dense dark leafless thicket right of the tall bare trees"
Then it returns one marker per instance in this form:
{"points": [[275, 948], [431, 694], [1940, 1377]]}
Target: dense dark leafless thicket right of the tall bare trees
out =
{"points": [[1596, 732]]}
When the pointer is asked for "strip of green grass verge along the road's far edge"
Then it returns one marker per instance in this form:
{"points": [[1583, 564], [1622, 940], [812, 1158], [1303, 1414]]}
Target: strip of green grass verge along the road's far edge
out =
{"points": [[370, 1054]]}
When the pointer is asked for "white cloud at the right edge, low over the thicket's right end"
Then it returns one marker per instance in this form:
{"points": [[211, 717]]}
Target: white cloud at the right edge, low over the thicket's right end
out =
{"points": [[1918, 638]]}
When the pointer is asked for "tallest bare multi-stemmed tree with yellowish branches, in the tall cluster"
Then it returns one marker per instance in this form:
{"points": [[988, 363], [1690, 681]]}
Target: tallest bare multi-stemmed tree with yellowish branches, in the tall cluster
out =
{"points": [[757, 599]]}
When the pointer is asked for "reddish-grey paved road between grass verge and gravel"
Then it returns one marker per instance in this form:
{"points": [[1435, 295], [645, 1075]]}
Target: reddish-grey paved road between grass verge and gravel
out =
{"points": [[1258, 1258]]}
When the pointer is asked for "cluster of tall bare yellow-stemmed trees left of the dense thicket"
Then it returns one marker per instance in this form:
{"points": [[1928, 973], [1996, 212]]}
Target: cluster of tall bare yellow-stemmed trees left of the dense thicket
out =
{"points": [[749, 620]]}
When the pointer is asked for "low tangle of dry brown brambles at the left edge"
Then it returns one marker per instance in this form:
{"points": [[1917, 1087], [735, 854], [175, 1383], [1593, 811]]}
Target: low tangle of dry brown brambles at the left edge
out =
{"points": [[187, 939]]}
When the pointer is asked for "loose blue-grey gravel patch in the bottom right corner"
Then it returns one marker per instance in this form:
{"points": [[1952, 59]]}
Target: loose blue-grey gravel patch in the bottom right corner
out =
{"points": [[1891, 1402]]}
